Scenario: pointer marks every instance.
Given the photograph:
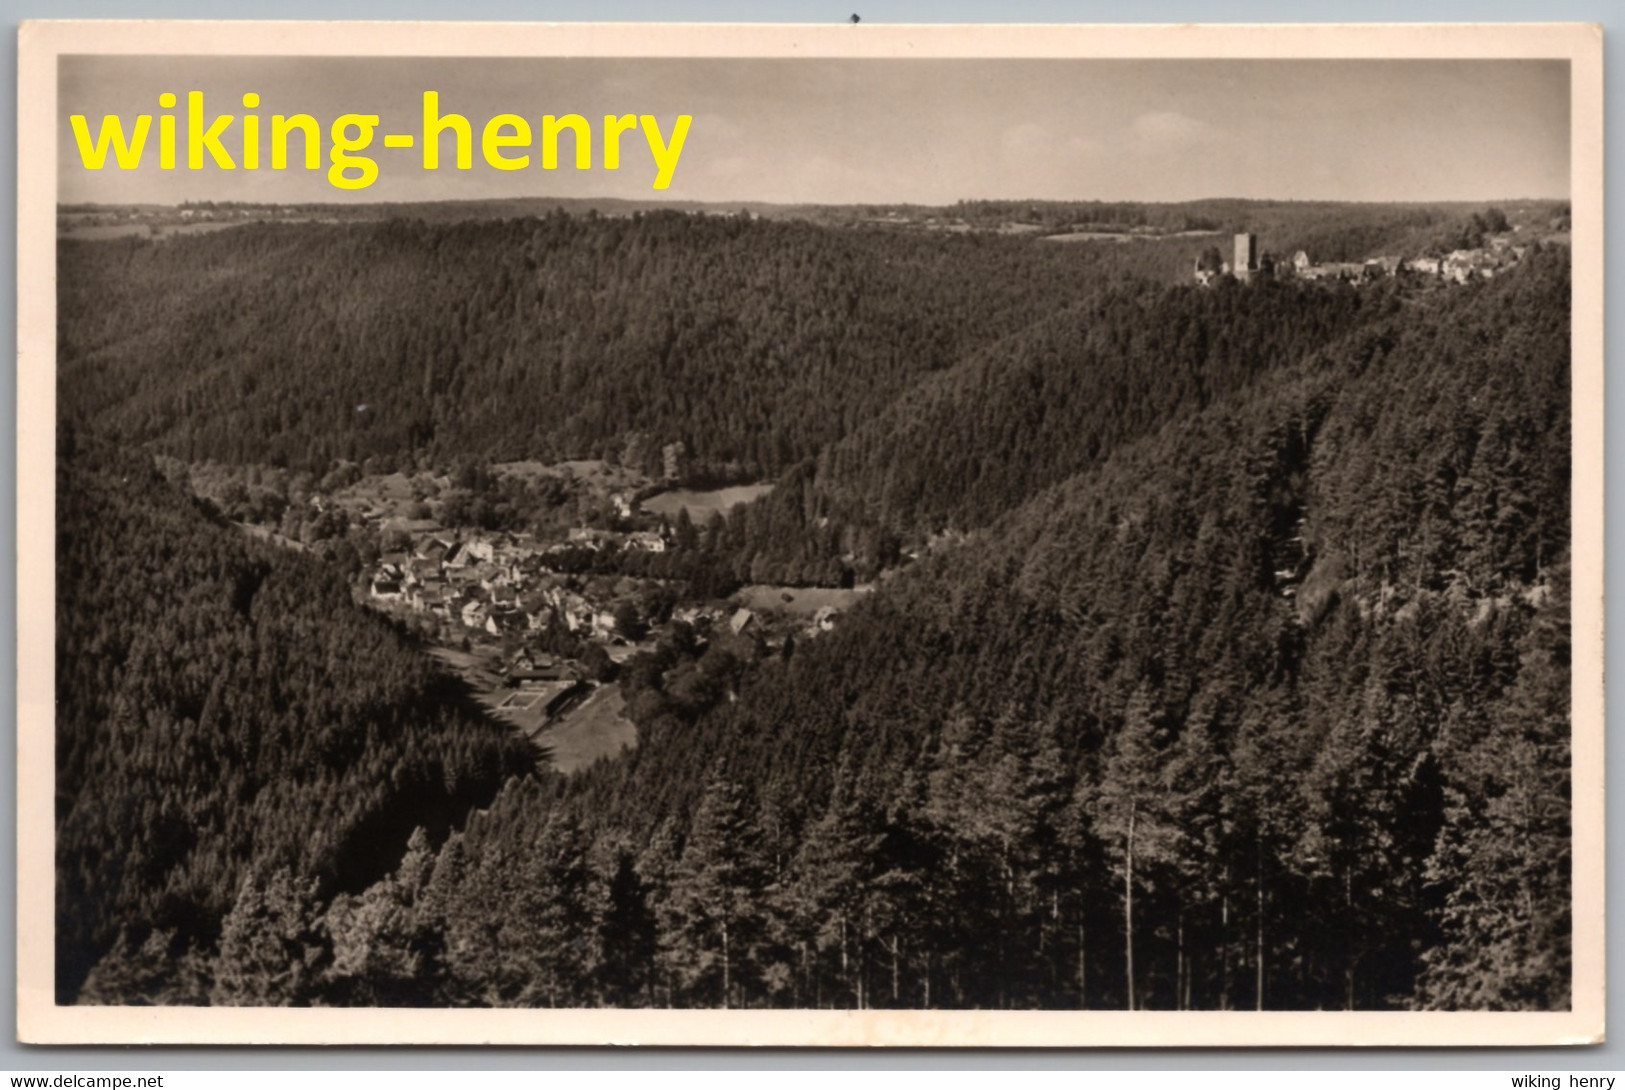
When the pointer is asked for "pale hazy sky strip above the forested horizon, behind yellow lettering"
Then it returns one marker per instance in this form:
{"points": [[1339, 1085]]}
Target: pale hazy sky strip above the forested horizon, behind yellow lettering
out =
{"points": [[882, 131]]}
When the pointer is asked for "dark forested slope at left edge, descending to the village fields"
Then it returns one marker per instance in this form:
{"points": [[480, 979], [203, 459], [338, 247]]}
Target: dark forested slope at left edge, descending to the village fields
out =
{"points": [[225, 720]]}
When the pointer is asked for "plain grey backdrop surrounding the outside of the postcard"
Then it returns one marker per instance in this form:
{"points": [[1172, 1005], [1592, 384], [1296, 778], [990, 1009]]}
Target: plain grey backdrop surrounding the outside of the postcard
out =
{"points": [[66, 1060]]}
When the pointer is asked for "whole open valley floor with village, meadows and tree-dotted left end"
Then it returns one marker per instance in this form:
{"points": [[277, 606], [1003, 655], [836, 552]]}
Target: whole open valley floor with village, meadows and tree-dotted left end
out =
{"points": [[539, 621]]}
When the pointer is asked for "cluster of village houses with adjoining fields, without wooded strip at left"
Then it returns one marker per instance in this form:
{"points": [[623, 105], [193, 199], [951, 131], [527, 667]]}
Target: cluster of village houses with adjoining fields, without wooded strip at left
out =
{"points": [[539, 626]]}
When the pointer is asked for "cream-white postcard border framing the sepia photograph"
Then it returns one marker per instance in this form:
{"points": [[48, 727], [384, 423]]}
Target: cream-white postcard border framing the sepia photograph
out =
{"points": [[41, 43]]}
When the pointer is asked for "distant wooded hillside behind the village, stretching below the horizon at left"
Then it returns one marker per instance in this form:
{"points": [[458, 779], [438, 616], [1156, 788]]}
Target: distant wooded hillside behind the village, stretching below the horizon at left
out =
{"points": [[753, 344]]}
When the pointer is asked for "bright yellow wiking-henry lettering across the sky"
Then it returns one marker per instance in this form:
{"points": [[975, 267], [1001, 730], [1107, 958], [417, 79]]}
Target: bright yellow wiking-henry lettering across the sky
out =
{"points": [[506, 142]]}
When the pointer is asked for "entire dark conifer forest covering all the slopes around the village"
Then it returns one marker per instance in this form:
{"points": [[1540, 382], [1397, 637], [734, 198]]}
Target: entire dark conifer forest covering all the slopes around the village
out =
{"points": [[1236, 675]]}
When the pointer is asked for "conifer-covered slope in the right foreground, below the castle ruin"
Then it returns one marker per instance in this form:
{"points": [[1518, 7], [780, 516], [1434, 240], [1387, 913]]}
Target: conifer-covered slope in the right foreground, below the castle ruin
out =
{"points": [[1242, 673]]}
